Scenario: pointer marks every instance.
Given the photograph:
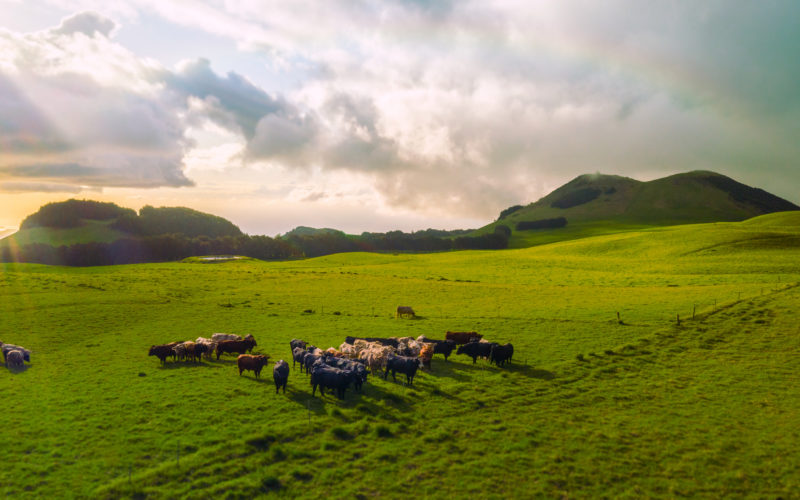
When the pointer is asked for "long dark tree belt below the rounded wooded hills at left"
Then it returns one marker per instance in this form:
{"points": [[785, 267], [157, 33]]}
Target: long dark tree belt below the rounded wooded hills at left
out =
{"points": [[167, 247]]}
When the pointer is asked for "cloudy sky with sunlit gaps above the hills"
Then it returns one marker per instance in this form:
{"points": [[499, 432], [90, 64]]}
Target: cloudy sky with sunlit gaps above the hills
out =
{"points": [[386, 114]]}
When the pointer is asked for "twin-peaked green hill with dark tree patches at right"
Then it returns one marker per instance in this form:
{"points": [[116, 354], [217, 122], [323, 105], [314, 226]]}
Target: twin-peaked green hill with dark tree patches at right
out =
{"points": [[595, 204]]}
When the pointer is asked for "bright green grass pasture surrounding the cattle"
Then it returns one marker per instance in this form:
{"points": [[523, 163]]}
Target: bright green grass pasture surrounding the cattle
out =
{"points": [[589, 408]]}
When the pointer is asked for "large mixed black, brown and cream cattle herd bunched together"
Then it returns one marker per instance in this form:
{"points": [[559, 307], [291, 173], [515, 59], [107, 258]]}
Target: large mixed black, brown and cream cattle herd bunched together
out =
{"points": [[338, 369]]}
